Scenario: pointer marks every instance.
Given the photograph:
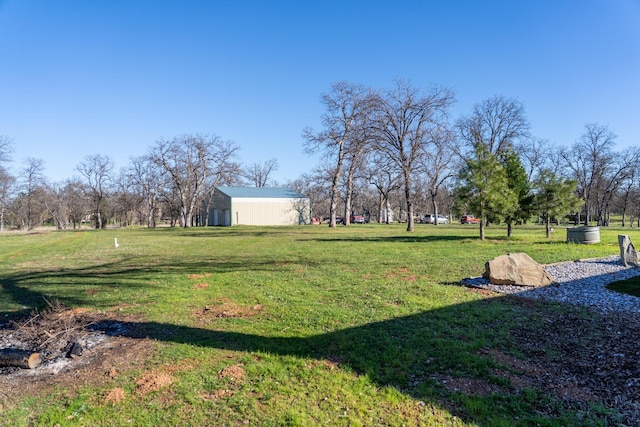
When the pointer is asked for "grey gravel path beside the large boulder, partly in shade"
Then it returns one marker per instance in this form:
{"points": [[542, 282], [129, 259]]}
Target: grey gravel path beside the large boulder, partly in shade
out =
{"points": [[579, 283]]}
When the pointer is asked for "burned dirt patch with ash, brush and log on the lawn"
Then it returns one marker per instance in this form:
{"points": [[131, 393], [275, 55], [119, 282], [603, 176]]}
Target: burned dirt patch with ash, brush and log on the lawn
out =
{"points": [[75, 347]]}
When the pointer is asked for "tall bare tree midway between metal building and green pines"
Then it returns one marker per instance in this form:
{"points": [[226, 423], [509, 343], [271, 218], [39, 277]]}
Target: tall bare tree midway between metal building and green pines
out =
{"points": [[406, 117]]}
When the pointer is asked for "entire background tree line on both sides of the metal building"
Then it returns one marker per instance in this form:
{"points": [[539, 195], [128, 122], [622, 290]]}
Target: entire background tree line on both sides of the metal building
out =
{"points": [[392, 154]]}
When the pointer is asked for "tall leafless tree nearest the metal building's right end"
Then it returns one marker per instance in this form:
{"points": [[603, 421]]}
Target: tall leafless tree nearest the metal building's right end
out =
{"points": [[347, 107]]}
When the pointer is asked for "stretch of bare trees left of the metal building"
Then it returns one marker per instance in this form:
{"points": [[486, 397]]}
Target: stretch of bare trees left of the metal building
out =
{"points": [[173, 183]]}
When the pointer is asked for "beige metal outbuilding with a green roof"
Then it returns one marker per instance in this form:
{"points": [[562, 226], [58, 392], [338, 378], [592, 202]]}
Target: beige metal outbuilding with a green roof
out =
{"points": [[258, 206]]}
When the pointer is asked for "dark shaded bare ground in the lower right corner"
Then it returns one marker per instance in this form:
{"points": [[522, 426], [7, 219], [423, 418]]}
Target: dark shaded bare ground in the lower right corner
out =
{"points": [[580, 358]]}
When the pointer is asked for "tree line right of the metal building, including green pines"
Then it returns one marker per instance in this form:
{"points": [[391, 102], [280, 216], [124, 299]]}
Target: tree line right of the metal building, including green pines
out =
{"points": [[399, 152]]}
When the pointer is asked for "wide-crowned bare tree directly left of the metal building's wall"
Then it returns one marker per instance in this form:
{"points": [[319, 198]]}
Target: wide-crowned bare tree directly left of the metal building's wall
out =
{"points": [[189, 160]]}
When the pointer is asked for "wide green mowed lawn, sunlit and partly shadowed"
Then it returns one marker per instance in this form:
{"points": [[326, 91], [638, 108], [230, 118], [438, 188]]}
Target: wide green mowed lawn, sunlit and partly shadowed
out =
{"points": [[349, 326]]}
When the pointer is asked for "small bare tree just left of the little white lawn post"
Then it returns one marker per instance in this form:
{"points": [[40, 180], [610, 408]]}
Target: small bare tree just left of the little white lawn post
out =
{"points": [[97, 170]]}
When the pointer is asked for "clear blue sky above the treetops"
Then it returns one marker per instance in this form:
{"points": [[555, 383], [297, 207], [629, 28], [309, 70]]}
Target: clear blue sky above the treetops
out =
{"points": [[110, 77]]}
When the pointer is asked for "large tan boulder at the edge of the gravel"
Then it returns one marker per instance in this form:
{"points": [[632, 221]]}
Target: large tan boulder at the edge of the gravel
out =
{"points": [[516, 269]]}
